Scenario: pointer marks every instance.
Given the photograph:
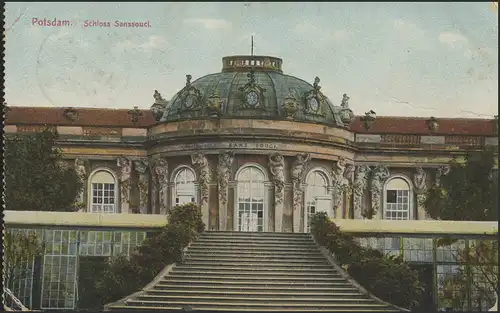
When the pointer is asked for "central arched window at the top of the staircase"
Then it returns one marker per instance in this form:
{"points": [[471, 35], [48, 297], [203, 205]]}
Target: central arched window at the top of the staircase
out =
{"points": [[251, 190]]}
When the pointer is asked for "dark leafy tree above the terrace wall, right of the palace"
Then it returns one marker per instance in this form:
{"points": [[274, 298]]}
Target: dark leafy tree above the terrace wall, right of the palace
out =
{"points": [[469, 192]]}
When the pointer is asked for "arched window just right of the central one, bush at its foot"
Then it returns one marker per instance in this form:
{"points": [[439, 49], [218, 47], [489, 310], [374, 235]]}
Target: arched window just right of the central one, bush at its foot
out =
{"points": [[317, 198]]}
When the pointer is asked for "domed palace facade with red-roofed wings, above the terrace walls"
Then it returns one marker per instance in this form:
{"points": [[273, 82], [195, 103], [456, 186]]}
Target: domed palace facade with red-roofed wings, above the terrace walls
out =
{"points": [[258, 149]]}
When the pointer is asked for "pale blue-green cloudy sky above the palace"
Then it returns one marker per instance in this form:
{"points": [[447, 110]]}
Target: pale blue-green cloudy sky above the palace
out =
{"points": [[398, 59]]}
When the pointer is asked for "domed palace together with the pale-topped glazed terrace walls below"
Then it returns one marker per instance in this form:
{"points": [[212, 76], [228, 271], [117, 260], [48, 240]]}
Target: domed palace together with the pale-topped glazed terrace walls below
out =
{"points": [[259, 151]]}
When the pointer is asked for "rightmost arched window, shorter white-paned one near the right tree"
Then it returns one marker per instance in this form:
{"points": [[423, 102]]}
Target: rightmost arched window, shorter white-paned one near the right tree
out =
{"points": [[397, 199]]}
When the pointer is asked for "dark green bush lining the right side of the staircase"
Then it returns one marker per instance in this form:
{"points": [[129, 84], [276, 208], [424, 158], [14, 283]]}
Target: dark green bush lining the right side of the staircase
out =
{"points": [[387, 277]]}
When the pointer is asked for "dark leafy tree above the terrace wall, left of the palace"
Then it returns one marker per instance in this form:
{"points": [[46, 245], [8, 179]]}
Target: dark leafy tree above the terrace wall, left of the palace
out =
{"points": [[36, 176]]}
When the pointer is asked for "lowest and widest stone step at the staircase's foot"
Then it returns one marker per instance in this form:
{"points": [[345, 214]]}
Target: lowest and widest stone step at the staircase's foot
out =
{"points": [[216, 308]]}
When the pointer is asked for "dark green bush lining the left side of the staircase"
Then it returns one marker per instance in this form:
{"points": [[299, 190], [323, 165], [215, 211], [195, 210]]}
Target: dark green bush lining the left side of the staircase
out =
{"points": [[123, 276]]}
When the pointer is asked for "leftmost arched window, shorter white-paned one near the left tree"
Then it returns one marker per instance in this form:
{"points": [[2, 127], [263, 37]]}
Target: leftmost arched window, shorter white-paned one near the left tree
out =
{"points": [[103, 192]]}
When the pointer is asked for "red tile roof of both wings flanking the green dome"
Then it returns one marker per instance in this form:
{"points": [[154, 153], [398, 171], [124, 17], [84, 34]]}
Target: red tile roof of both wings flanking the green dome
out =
{"points": [[121, 118]]}
